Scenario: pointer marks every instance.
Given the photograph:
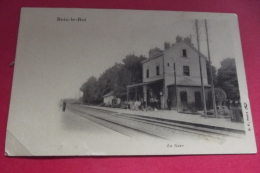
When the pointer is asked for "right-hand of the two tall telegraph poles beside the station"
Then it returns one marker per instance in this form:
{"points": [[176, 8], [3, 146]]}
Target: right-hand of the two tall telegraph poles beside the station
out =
{"points": [[212, 85]]}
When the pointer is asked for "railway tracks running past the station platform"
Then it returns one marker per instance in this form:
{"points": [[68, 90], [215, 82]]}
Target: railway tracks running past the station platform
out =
{"points": [[157, 127]]}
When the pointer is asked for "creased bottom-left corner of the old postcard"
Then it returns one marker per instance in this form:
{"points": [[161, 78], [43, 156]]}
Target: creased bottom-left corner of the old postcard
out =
{"points": [[13, 147]]}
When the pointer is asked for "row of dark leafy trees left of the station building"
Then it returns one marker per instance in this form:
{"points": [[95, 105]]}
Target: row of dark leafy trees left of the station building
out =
{"points": [[115, 78]]}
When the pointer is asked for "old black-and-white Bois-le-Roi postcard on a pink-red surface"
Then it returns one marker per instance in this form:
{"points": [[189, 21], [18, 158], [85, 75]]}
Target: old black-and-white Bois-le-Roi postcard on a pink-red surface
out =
{"points": [[128, 82]]}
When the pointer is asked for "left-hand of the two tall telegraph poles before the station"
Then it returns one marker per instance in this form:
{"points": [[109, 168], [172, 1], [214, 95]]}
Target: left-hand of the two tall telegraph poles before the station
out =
{"points": [[201, 77]]}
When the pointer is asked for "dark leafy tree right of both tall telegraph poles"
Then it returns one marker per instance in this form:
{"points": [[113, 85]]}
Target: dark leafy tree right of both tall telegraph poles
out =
{"points": [[227, 78]]}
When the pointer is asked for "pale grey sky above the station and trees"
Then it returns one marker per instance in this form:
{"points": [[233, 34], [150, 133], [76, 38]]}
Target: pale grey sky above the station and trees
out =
{"points": [[74, 51]]}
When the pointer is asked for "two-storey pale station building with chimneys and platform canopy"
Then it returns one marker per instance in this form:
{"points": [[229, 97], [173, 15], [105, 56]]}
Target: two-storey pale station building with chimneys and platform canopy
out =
{"points": [[174, 74]]}
